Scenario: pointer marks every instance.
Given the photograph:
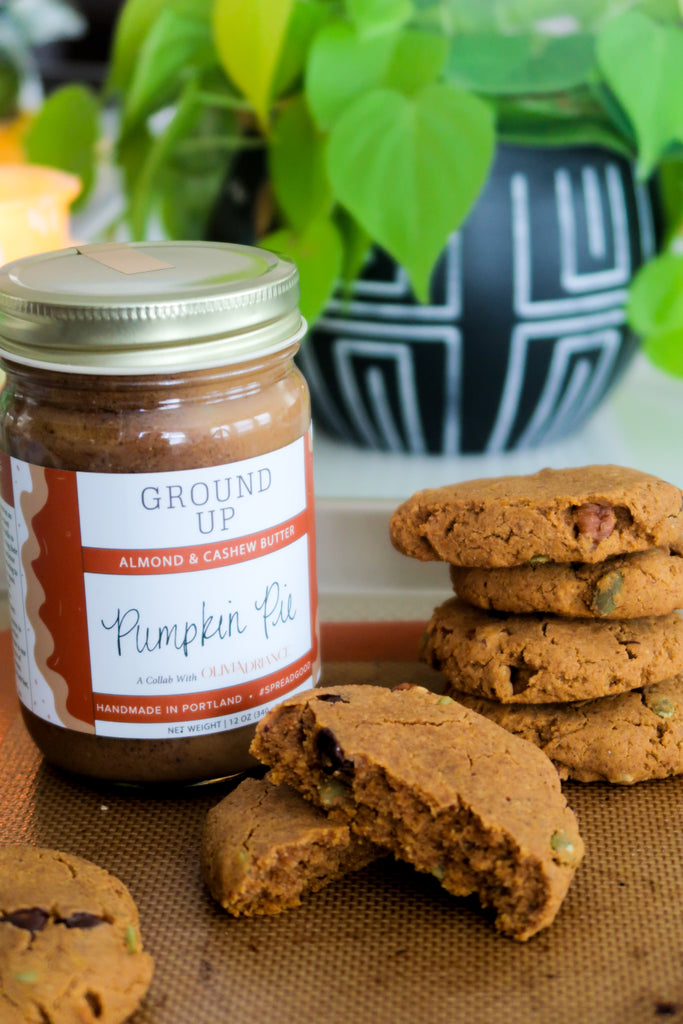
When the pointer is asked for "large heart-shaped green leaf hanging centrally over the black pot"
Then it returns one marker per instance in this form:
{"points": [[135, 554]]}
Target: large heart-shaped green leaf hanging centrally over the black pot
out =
{"points": [[410, 168]]}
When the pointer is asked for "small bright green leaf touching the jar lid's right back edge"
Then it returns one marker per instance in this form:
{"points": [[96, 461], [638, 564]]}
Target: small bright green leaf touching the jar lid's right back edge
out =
{"points": [[318, 254]]}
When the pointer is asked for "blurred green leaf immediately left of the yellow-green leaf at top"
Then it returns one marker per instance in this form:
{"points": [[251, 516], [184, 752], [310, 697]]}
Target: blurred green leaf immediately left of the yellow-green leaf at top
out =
{"points": [[175, 45]]}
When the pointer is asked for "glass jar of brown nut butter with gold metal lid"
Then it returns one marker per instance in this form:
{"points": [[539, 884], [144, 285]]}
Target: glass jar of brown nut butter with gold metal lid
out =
{"points": [[157, 502]]}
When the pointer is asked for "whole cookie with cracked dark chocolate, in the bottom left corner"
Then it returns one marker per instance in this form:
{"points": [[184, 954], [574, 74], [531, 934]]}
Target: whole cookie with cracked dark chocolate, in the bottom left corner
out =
{"points": [[70, 942]]}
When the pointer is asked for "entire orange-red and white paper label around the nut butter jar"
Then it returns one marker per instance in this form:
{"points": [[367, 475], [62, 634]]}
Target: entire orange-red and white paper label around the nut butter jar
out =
{"points": [[152, 606]]}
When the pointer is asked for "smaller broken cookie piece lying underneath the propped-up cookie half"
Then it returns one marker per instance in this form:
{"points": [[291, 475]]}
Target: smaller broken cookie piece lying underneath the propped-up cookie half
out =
{"points": [[265, 847]]}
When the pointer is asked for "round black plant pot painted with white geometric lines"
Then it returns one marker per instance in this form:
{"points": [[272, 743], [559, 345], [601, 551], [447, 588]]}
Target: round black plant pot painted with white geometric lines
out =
{"points": [[525, 333]]}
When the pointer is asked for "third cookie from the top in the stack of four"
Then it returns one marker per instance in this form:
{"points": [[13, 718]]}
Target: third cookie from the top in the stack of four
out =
{"points": [[543, 659]]}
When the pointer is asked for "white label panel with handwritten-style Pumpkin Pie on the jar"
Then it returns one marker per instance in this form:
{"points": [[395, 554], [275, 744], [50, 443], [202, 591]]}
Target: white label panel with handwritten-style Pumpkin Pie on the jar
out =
{"points": [[196, 632]]}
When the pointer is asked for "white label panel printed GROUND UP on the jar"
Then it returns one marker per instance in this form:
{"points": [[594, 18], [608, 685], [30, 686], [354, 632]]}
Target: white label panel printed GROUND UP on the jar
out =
{"points": [[174, 510]]}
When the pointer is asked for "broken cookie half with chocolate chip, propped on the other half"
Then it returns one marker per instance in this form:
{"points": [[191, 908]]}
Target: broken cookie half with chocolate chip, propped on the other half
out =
{"points": [[437, 785]]}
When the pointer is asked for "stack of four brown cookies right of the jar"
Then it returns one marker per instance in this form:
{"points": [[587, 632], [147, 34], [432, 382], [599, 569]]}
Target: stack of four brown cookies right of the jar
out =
{"points": [[565, 628]]}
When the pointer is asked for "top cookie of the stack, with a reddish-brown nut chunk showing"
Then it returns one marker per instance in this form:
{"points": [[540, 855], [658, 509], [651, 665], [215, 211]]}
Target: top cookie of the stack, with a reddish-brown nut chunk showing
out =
{"points": [[563, 516]]}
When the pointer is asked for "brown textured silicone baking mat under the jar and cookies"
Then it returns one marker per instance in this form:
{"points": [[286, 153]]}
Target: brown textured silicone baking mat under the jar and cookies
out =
{"points": [[386, 946]]}
